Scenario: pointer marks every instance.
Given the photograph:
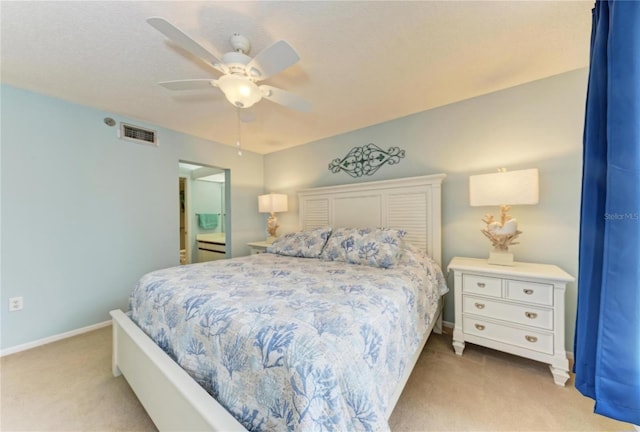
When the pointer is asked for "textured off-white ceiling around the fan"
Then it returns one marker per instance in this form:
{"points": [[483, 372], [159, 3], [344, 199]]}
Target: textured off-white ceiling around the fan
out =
{"points": [[361, 63]]}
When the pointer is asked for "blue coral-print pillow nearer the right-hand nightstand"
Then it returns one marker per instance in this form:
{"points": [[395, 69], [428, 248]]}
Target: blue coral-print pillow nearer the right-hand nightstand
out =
{"points": [[376, 247]]}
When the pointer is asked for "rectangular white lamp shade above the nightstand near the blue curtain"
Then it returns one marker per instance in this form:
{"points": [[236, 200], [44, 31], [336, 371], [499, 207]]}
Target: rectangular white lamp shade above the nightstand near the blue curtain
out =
{"points": [[504, 188]]}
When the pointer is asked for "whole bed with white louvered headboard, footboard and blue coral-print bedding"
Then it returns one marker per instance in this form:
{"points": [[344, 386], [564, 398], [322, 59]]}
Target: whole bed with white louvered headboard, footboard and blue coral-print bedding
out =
{"points": [[294, 341]]}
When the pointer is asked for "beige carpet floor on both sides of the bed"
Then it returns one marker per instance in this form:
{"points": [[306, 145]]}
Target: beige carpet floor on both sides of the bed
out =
{"points": [[68, 386]]}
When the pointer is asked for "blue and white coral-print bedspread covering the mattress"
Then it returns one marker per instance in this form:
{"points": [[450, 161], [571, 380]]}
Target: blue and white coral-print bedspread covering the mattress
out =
{"points": [[294, 344]]}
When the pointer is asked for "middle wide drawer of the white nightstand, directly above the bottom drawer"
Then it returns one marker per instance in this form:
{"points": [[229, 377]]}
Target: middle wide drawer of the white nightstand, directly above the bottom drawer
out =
{"points": [[521, 314]]}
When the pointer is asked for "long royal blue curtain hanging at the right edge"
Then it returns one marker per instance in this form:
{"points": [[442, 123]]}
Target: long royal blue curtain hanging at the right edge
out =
{"points": [[607, 339]]}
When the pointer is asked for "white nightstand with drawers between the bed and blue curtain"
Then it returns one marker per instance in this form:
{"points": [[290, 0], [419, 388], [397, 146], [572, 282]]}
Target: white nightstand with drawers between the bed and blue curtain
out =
{"points": [[516, 309]]}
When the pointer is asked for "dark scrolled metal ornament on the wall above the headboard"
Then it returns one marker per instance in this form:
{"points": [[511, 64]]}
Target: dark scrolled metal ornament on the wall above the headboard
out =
{"points": [[366, 160]]}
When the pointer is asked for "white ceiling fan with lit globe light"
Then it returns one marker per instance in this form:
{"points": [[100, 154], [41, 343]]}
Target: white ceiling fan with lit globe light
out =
{"points": [[240, 72]]}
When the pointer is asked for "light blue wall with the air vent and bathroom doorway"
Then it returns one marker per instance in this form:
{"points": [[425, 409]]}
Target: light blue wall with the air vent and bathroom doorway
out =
{"points": [[85, 214]]}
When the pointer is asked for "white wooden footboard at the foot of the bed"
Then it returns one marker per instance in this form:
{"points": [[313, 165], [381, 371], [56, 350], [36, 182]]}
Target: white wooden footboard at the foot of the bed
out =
{"points": [[173, 400]]}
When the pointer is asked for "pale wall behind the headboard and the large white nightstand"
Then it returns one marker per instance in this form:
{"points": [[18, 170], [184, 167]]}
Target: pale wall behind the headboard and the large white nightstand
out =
{"points": [[536, 125]]}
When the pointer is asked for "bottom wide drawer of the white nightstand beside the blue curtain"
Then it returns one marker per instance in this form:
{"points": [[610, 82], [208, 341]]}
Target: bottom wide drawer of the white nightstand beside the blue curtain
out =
{"points": [[531, 340]]}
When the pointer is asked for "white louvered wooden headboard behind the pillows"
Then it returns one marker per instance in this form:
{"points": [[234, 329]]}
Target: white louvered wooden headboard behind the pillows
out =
{"points": [[412, 204]]}
